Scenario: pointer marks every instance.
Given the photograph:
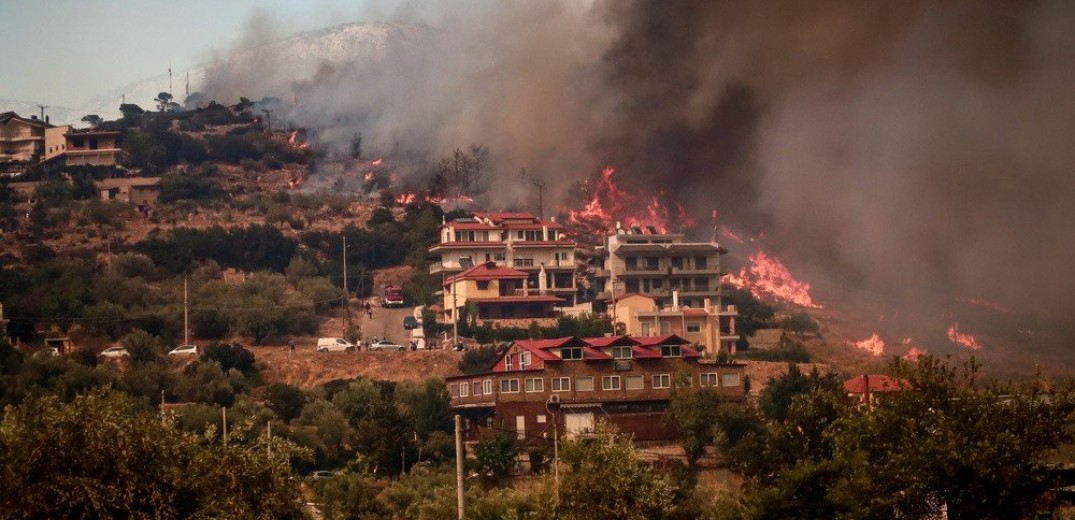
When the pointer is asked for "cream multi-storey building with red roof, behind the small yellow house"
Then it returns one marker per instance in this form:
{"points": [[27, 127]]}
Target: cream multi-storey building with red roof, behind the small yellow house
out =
{"points": [[518, 241]]}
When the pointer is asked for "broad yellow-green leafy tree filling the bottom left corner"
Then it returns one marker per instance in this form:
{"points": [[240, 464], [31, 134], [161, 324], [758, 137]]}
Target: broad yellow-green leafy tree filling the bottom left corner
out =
{"points": [[134, 466]]}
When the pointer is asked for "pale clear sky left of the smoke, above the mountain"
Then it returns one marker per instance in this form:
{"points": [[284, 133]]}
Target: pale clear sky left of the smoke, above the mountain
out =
{"points": [[70, 51]]}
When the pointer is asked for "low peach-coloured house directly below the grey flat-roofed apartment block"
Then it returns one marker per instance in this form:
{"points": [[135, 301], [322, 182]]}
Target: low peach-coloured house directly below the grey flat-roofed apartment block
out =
{"points": [[710, 326]]}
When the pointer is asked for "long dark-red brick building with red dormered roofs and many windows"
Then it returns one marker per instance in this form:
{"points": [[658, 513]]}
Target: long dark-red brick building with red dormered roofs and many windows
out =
{"points": [[542, 387]]}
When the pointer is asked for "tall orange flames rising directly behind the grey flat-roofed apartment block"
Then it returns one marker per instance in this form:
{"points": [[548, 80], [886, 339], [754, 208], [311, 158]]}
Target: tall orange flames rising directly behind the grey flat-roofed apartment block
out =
{"points": [[610, 205]]}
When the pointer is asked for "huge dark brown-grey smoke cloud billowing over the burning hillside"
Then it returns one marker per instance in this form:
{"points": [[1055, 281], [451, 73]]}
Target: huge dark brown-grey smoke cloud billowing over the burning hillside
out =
{"points": [[916, 149]]}
